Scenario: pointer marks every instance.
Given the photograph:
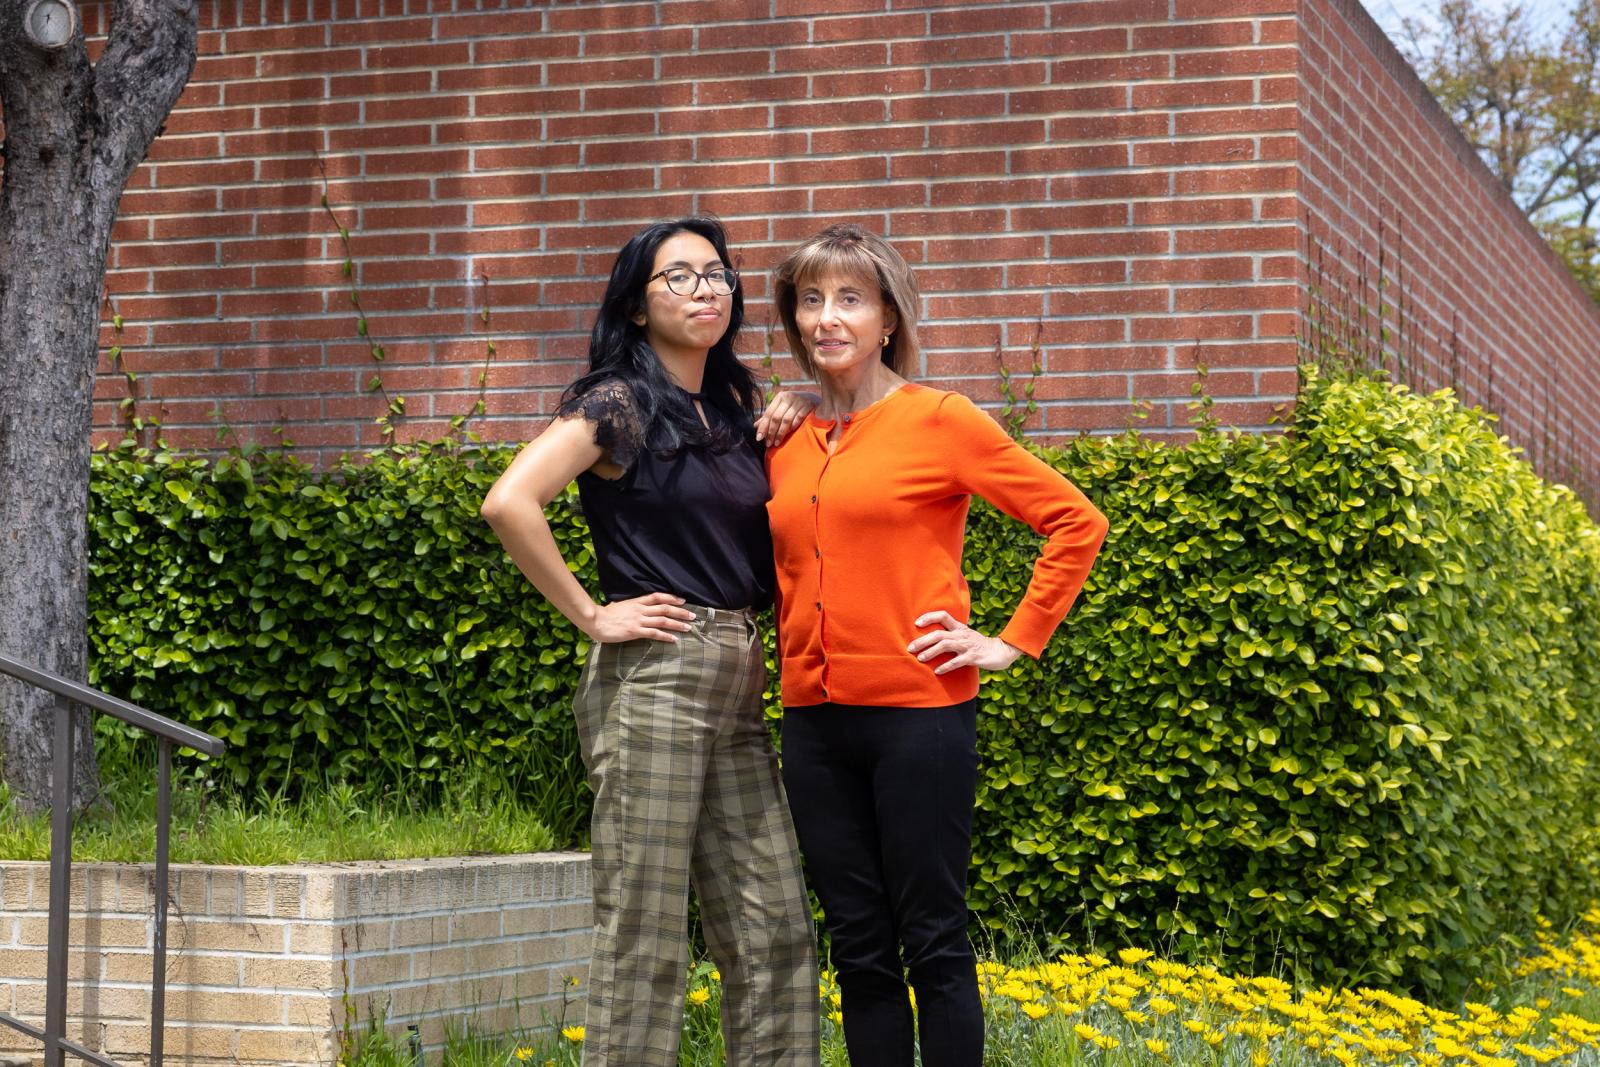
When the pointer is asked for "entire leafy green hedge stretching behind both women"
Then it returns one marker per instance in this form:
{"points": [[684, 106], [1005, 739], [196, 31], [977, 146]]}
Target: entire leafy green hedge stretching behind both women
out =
{"points": [[1329, 700]]}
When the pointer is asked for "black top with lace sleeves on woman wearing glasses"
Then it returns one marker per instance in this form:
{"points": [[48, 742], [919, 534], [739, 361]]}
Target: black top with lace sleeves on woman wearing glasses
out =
{"points": [[694, 524]]}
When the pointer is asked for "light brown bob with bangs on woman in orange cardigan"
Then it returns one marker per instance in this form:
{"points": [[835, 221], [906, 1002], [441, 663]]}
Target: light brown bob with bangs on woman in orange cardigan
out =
{"points": [[847, 250]]}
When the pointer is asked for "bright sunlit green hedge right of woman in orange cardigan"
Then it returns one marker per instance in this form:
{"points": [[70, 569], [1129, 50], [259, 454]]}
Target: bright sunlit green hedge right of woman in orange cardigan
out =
{"points": [[1329, 698]]}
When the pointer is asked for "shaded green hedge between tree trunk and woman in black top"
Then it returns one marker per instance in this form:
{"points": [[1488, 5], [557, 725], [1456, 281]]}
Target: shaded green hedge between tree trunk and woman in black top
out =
{"points": [[361, 625]]}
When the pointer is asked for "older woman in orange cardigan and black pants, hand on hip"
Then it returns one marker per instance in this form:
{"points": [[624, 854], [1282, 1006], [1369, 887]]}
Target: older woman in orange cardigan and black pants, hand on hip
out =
{"points": [[879, 666]]}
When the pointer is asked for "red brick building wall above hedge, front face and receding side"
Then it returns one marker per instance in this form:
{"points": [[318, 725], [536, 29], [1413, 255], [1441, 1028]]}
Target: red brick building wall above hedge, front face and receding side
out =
{"points": [[1122, 180]]}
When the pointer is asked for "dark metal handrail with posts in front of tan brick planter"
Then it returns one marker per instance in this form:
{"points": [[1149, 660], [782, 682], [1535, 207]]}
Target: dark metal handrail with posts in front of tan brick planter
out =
{"points": [[170, 733]]}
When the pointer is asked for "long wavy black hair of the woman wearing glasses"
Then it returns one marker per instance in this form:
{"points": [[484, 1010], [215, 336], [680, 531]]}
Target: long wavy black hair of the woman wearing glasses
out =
{"points": [[618, 350]]}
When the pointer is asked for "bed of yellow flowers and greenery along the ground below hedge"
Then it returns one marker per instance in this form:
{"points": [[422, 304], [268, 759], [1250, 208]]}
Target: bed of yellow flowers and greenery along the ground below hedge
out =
{"points": [[1140, 1010]]}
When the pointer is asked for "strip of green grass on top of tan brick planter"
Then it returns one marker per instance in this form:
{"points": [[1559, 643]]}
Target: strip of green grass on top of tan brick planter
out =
{"points": [[334, 825]]}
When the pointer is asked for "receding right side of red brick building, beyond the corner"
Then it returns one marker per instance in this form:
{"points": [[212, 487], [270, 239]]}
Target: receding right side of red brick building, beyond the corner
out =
{"points": [[1489, 308]]}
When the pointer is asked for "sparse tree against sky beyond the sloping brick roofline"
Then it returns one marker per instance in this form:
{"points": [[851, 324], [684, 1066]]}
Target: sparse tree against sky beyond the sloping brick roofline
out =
{"points": [[1529, 100]]}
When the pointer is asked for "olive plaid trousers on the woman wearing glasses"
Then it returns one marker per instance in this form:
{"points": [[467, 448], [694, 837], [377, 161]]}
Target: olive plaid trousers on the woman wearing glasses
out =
{"points": [[687, 789]]}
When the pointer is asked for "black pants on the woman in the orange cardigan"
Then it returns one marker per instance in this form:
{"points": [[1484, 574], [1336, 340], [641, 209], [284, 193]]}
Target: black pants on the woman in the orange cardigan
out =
{"points": [[882, 802]]}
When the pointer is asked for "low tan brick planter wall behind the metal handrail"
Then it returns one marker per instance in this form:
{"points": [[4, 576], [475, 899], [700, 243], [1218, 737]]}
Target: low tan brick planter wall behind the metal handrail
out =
{"points": [[265, 964]]}
